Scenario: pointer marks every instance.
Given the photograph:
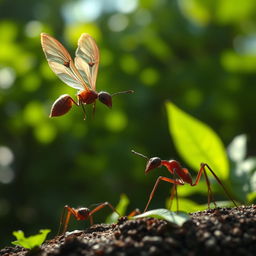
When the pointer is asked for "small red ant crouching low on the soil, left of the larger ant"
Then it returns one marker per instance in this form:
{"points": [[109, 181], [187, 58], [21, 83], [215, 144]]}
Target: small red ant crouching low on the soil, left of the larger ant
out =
{"points": [[81, 213]]}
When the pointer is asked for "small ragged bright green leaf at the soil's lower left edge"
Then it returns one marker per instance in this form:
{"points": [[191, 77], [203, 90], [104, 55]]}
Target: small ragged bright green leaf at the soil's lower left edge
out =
{"points": [[31, 241]]}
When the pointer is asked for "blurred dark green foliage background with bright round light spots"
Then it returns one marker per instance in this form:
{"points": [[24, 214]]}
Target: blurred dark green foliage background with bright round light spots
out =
{"points": [[201, 55]]}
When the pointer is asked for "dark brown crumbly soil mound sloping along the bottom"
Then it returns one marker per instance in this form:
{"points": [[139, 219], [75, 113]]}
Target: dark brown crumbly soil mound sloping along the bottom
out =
{"points": [[229, 231]]}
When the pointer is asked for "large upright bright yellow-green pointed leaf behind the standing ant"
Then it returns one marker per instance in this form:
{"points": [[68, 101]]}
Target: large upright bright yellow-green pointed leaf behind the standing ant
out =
{"points": [[196, 142]]}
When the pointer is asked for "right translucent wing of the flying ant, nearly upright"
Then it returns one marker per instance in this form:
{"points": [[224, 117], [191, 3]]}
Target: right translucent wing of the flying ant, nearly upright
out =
{"points": [[87, 59]]}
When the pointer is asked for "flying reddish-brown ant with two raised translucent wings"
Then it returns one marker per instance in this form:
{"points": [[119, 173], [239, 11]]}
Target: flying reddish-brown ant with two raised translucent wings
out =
{"points": [[80, 74]]}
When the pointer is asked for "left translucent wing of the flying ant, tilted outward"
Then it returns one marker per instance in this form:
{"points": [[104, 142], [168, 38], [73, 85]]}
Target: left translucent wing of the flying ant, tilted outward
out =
{"points": [[61, 62]]}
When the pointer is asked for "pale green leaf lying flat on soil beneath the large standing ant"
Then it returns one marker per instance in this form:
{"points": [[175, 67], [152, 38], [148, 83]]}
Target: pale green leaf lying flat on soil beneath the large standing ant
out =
{"points": [[177, 218]]}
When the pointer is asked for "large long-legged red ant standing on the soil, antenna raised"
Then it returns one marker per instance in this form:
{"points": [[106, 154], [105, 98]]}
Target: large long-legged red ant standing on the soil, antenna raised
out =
{"points": [[175, 168]]}
